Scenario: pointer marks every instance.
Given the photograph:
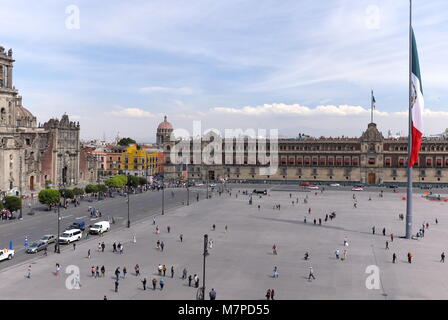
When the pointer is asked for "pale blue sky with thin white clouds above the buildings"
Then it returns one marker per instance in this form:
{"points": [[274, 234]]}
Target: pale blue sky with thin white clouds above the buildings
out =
{"points": [[295, 65]]}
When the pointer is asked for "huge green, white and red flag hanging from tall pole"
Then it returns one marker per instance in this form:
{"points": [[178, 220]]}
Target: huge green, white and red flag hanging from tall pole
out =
{"points": [[417, 104]]}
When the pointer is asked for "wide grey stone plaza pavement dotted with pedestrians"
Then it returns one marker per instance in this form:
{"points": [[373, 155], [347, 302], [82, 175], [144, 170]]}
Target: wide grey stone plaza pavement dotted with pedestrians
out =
{"points": [[240, 263]]}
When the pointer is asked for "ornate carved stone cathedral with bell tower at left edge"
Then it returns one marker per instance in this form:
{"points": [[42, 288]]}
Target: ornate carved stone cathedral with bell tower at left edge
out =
{"points": [[31, 154]]}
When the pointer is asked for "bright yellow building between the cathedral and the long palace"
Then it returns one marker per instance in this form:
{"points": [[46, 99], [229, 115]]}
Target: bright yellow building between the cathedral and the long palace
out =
{"points": [[140, 161]]}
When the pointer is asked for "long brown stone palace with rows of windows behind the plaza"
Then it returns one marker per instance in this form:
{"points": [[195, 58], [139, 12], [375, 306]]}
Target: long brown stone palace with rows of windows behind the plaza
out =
{"points": [[369, 159]]}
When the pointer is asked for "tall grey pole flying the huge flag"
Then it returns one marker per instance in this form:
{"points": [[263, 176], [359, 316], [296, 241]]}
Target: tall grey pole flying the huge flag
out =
{"points": [[409, 168]]}
